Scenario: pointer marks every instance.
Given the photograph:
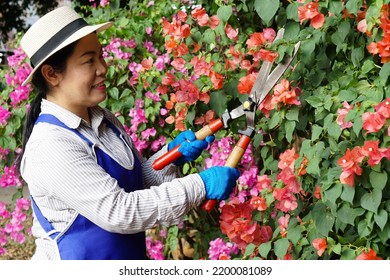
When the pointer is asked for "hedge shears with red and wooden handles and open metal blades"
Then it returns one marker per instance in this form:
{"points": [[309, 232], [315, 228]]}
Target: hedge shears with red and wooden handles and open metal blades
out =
{"points": [[262, 86]]}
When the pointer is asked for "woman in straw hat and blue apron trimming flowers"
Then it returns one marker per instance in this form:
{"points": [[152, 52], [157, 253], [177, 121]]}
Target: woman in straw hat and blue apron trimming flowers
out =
{"points": [[93, 196]]}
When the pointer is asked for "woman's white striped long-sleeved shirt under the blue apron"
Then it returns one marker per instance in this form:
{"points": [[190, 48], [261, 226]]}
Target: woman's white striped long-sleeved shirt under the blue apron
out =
{"points": [[65, 180]]}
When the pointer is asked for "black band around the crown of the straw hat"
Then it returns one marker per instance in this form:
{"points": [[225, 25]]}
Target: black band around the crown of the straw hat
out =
{"points": [[56, 40]]}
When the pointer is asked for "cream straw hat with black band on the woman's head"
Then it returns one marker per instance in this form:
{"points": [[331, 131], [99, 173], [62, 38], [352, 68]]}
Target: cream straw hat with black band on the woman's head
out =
{"points": [[54, 31]]}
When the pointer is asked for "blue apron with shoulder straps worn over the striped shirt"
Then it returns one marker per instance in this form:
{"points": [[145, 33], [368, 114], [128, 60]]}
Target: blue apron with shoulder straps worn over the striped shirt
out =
{"points": [[85, 240]]}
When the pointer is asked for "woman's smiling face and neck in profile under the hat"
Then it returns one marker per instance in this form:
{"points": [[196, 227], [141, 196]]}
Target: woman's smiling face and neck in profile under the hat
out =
{"points": [[81, 85]]}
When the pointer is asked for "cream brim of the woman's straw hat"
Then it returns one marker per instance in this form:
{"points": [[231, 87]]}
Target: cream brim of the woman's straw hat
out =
{"points": [[73, 38]]}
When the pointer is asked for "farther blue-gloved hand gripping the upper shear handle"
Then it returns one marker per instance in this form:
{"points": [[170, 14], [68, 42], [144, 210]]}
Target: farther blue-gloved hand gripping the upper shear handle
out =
{"points": [[190, 147]]}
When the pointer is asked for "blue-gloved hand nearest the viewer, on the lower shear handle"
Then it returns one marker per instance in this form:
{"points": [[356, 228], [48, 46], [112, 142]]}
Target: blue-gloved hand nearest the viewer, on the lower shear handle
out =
{"points": [[219, 181]]}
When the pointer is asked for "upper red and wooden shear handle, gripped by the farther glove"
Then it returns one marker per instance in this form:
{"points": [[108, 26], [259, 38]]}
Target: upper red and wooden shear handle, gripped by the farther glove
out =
{"points": [[174, 154]]}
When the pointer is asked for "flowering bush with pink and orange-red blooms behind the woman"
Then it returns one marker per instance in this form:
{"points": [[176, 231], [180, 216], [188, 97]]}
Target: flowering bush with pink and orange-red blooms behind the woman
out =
{"points": [[314, 183]]}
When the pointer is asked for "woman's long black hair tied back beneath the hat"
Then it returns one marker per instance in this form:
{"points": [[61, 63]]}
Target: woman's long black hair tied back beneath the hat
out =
{"points": [[58, 62]]}
